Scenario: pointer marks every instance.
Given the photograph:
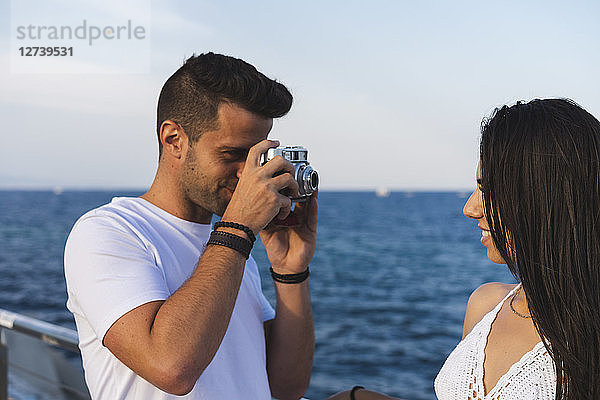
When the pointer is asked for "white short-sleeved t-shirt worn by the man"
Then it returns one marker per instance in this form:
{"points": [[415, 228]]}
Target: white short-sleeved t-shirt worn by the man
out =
{"points": [[130, 252]]}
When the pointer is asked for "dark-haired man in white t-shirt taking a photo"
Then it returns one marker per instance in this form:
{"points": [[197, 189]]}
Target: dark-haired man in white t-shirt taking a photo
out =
{"points": [[159, 310]]}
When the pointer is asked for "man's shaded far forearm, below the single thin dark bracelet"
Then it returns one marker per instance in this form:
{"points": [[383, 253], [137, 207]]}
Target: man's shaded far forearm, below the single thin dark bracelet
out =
{"points": [[291, 342]]}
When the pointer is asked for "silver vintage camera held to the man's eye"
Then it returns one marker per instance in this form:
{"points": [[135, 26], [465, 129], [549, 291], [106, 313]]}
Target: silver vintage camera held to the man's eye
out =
{"points": [[307, 178]]}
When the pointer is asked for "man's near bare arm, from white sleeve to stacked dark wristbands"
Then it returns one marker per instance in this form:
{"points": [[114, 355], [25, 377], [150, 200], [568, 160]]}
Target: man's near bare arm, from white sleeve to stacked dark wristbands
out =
{"points": [[187, 329]]}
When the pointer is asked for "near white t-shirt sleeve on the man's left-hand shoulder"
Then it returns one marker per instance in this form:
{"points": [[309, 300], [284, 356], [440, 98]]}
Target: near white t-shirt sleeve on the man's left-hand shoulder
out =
{"points": [[109, 271]]}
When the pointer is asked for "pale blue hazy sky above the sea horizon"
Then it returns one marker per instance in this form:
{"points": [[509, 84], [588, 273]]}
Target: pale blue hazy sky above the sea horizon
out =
{"points": [[386, 93]]}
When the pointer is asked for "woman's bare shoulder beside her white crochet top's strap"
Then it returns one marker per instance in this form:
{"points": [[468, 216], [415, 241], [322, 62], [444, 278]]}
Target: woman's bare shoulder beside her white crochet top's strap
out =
{"points": [[482, 301]]}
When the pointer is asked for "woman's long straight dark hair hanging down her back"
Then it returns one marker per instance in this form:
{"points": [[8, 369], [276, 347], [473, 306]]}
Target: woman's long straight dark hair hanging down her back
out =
{"points": [[540, 166]]}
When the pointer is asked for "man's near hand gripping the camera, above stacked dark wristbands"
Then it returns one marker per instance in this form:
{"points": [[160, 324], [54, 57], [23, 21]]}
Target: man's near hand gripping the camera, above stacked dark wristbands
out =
{"points": [[257, 198]]}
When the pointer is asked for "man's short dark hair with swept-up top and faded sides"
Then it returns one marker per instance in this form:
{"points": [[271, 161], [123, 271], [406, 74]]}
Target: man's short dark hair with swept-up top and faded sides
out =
{"points": [[191, 96]]}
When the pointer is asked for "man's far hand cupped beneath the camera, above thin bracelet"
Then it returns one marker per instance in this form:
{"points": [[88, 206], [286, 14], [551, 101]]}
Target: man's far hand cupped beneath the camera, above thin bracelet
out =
{"points": [[290, 249]]}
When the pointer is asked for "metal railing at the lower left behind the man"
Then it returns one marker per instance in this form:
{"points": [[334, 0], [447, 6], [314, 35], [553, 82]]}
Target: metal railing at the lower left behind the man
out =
{"points": [[13, 327]]}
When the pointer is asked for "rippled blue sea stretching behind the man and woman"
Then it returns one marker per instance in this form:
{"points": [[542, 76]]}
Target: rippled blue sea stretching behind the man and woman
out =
{"points": [[390, 280]]}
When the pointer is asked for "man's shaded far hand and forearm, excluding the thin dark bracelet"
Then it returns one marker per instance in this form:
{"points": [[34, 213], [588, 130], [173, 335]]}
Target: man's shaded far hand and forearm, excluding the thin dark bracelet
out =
{"points": [[290, 336]]}
